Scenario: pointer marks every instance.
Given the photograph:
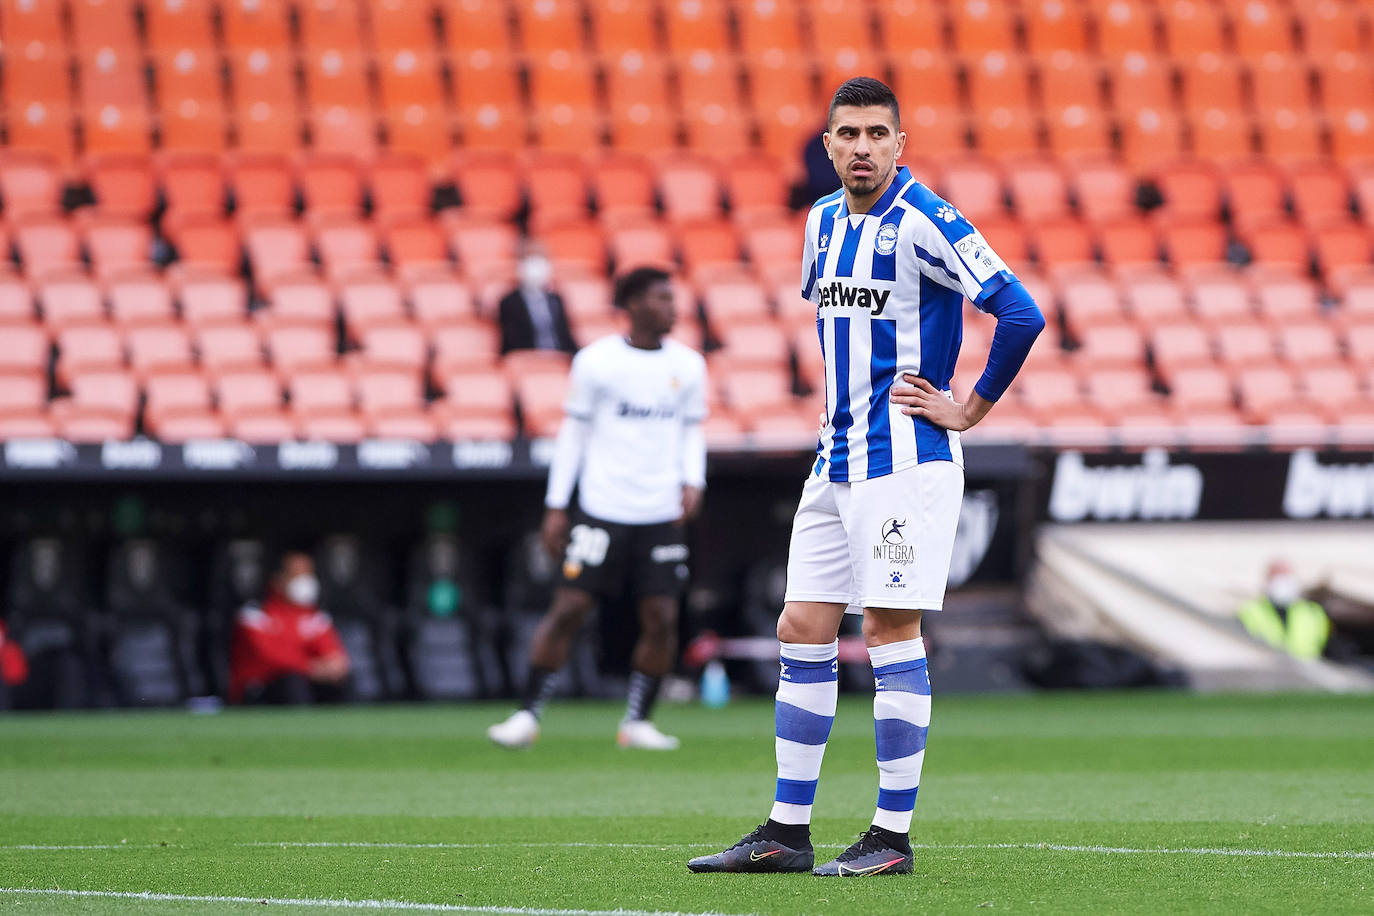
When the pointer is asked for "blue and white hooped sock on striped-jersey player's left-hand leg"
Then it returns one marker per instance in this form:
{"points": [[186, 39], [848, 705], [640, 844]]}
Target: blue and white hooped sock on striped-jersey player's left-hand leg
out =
{"points": [[809, 686]]}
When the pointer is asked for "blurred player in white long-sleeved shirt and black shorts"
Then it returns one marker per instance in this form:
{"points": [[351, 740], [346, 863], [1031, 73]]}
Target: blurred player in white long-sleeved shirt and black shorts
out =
{"points": [[633, 446]]}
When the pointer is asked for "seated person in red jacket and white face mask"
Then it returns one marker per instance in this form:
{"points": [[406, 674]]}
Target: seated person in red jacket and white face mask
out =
{"points": [[286, 649]]}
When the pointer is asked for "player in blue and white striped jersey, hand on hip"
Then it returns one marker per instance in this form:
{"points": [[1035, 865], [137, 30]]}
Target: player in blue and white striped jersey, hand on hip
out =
{"points": [[888, 266]]}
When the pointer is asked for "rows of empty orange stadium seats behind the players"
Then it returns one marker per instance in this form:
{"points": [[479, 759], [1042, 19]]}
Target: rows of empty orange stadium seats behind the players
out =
{"points": [[280, 219]]}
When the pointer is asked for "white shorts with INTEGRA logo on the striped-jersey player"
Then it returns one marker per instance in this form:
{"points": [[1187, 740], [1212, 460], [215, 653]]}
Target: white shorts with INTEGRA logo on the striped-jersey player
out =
{"points": [[879, 543]]}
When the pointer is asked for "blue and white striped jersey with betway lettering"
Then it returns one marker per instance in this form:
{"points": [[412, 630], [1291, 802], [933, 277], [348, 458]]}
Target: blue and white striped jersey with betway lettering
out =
{"points": [[890, 289]]}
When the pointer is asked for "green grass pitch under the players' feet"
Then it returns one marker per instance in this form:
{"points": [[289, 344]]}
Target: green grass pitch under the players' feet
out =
{"points": [[1067, 804]]}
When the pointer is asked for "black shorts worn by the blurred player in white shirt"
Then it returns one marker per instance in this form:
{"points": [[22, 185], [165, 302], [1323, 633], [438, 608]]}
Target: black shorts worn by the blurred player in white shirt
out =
{"points": [[608, 558]]}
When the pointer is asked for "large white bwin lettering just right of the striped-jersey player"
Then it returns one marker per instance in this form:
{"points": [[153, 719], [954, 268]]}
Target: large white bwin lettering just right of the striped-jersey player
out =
{"points": [[1152, 490]]}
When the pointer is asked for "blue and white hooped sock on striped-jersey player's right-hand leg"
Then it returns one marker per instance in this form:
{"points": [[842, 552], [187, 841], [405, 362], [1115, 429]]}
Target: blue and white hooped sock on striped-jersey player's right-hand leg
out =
{"points": [[902, 718]]}
